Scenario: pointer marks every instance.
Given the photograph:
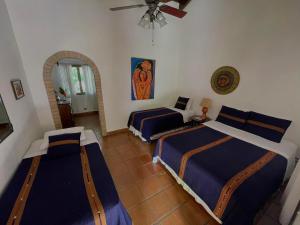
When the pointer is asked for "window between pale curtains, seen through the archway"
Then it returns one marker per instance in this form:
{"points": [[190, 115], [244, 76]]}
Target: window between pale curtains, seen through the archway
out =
{"points": [[77, 80]]}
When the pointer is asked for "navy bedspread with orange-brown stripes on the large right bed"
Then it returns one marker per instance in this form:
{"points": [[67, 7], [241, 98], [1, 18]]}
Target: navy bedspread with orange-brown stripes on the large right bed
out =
{"points": [[234, 178]]}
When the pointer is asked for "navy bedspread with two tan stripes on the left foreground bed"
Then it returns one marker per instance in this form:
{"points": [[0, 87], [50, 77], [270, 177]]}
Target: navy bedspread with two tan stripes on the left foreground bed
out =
{"points": [[74, 189]]}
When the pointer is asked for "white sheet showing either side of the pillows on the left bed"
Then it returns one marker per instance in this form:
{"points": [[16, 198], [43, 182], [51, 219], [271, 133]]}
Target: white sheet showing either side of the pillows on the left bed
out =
{"points": [[35, 150]]}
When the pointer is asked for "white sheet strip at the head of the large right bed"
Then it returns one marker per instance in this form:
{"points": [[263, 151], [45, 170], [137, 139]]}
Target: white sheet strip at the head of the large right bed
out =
{"points": [[286, 148]]}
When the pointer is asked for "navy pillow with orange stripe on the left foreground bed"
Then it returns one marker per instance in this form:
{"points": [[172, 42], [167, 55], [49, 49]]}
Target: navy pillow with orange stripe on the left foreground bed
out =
{"points": [[64, 144]]}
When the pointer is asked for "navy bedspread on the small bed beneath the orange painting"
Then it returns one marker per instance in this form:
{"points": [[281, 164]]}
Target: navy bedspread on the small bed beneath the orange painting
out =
{"points": [[154, 121]]}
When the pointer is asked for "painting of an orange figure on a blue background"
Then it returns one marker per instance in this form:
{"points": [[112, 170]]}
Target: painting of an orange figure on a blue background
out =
{"points": [[142, 78]]}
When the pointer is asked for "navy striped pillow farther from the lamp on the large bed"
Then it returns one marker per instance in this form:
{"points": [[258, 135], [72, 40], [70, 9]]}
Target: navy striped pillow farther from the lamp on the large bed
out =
{"points": [[267, 127]]}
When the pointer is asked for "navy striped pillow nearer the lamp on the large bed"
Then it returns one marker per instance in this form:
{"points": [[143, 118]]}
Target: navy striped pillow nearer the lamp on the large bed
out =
{"points": [[232, 117]]}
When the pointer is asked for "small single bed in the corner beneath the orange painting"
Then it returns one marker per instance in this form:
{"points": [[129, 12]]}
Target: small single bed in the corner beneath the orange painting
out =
{"points": [[151, 124]]}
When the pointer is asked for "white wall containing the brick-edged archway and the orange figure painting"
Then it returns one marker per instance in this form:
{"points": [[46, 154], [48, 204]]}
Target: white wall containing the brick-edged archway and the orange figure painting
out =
{"points": [[109, 39]]}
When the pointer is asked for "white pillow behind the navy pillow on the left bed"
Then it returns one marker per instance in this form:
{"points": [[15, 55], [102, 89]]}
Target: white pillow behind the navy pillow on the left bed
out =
{"points": [[71, 130]]}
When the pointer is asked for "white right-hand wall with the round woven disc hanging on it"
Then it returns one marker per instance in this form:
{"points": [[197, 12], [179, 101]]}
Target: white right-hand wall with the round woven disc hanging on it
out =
{"points": [[260, 38]]}
